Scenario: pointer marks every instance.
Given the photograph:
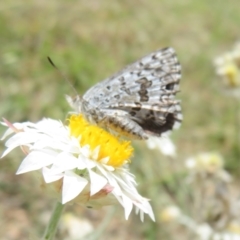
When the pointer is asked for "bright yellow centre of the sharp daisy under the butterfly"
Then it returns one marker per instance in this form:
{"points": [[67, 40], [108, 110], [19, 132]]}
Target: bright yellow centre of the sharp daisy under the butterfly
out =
{"points": [[118, 151]]}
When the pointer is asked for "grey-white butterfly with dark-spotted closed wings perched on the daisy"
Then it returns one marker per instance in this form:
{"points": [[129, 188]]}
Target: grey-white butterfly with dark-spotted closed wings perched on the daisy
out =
{"points": [[138, 101]]}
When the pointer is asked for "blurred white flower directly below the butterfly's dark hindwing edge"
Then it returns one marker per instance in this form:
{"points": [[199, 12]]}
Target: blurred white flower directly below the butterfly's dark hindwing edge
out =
{"points": [[163, 144]]}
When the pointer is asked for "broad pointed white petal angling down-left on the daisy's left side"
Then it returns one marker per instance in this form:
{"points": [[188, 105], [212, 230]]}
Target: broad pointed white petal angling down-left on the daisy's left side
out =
{"points": [[36, 160]]}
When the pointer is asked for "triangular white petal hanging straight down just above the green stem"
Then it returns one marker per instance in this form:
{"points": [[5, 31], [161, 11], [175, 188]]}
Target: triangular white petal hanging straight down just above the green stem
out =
{"points": [[72, 186]]}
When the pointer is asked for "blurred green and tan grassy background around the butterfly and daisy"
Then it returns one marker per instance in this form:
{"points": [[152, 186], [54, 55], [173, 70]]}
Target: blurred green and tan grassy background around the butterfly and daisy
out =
{"points": [[89, 41]]}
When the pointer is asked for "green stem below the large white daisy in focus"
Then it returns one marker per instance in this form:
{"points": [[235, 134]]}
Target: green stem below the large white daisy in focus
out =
{"points": [[53, 223]]}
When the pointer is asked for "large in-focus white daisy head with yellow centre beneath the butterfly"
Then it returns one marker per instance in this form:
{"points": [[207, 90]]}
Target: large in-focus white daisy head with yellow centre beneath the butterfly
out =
{"points": [[83, 162]]}
